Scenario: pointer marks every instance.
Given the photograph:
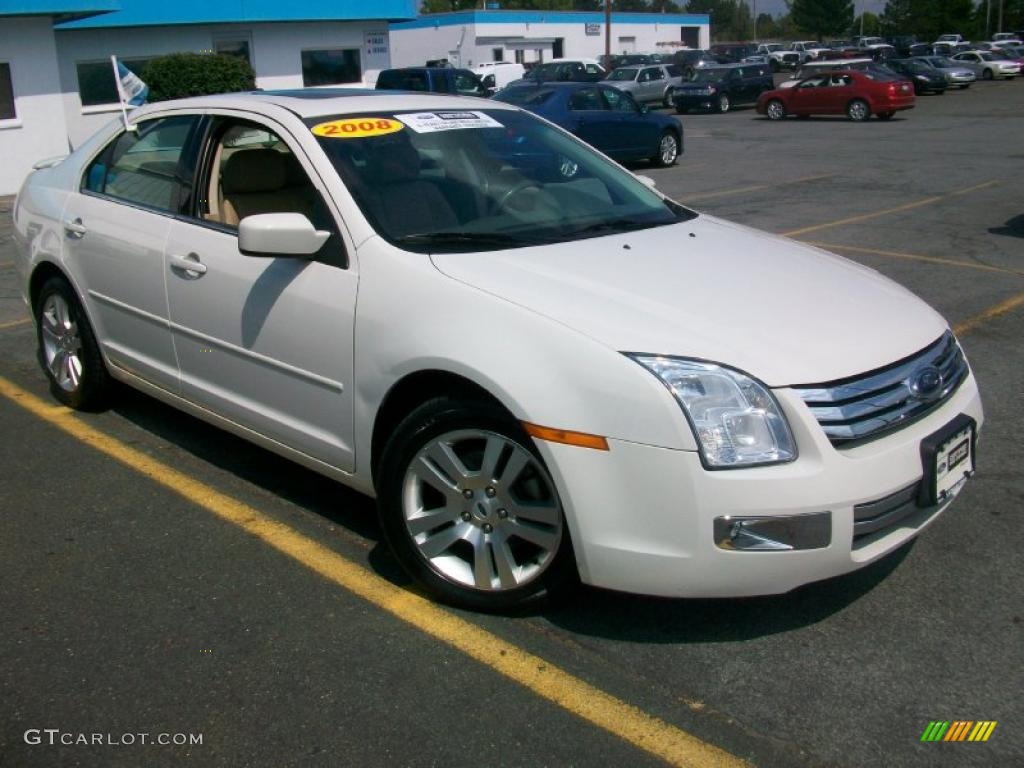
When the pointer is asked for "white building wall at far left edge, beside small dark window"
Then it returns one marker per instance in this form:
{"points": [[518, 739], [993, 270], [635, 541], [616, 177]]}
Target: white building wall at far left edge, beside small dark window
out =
{"points": [[38, 131]]}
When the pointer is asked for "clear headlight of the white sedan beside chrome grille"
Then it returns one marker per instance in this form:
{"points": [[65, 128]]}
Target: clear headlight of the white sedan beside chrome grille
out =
{"points": [[737, 420]]}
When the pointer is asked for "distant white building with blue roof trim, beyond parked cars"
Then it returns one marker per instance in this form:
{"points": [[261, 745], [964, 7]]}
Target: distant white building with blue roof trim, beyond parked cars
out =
{"points": [[473, 37]]}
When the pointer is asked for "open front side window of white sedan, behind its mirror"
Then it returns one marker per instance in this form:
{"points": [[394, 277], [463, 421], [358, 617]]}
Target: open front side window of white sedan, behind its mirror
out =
{"points": [[250, 170]]}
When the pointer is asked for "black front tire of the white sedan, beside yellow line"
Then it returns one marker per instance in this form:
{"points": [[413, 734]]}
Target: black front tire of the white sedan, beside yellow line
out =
{"points": [[433, 421]]}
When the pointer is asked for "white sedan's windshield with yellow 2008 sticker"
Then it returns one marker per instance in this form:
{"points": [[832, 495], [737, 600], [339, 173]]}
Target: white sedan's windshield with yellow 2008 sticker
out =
{"points": [[484, 180]]}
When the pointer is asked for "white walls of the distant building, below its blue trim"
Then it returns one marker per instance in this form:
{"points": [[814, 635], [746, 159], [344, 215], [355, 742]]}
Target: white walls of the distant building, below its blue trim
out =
{"points": [[413, 48]]}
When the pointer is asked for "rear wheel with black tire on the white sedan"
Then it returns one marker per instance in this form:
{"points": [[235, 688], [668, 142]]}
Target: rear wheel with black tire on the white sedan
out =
{"points": [[90, 388]]}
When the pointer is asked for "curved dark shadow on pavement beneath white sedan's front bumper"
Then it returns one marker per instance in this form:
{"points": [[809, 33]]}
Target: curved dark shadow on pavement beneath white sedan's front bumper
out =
{"points": [[648, 620]]}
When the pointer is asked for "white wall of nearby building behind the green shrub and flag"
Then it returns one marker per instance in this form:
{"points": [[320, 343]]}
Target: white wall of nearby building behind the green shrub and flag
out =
{"points": [[276, 52]]}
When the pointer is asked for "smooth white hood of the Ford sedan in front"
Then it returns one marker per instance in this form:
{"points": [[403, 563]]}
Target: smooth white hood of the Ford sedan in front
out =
{"points": [[784, 312]]}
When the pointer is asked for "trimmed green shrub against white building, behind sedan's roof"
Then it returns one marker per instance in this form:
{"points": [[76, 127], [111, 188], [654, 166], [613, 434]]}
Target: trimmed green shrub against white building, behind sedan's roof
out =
{"points": [[181, 75]]}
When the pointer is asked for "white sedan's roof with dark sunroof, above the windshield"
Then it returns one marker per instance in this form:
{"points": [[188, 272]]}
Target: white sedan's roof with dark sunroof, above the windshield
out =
{"points": [[316, 102]]}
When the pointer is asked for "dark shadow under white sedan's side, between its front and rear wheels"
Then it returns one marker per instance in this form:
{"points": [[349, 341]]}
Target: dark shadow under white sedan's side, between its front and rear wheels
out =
{"points": [[252, 464]]}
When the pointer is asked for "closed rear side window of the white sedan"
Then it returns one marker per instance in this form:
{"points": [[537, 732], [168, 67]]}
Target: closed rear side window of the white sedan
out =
{"points": [[142, 166]]}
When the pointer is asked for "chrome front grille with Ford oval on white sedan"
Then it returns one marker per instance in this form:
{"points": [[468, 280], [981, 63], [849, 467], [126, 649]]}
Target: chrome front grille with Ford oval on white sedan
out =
{"points": [[867, 407]]}
